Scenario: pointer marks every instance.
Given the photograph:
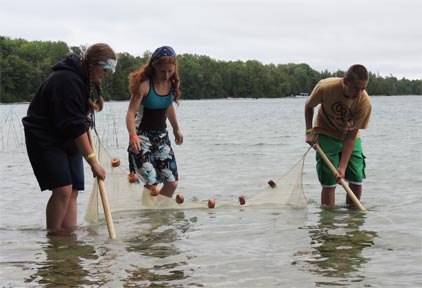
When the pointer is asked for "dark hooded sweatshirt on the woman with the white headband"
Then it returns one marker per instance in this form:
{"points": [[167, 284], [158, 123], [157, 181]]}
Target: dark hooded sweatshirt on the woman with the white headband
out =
{"points": [[58, 111]]}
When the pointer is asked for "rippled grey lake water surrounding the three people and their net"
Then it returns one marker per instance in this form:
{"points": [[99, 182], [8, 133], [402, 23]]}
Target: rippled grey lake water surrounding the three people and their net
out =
{"points": [[231, 147]]}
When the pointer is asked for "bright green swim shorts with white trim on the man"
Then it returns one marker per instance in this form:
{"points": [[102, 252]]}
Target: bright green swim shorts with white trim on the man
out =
{"points": [[332, 147]]}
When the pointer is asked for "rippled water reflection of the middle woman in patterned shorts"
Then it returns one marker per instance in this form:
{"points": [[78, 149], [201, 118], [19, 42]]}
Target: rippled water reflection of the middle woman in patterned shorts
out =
{"points": [[157, 241]]}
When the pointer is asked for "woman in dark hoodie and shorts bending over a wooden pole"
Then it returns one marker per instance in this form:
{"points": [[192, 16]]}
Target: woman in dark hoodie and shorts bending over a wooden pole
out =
{"points": [[56, 131]]}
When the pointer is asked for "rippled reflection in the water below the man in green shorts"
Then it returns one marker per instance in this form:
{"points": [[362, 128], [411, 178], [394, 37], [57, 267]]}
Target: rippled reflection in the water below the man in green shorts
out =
{"points": [[337, 243]]}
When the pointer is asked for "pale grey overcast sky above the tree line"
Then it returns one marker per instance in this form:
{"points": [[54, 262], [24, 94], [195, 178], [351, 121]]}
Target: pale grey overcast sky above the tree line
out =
{"points": [[383, 35]]}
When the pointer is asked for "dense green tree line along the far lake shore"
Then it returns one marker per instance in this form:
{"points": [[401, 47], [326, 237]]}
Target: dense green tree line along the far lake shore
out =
{"points": [[26, 64]]}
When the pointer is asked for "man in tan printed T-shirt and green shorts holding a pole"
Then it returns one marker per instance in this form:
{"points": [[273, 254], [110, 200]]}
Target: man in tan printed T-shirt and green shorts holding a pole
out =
{"points": [[345, 108]]}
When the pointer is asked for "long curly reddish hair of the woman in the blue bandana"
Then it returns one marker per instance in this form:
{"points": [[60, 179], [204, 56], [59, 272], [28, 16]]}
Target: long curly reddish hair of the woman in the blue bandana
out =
{"points": [[147, 71]]}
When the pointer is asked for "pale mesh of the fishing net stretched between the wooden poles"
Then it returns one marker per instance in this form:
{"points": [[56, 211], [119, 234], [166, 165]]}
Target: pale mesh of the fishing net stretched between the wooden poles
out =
{"points": [[125, 196]]}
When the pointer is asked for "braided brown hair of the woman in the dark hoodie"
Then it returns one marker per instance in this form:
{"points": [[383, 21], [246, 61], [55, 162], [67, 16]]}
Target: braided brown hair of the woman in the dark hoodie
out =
{"points": [[94, 54]]}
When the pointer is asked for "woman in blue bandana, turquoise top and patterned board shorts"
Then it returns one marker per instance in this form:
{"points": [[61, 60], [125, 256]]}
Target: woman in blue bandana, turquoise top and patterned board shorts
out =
{"points": [[154, 88]]}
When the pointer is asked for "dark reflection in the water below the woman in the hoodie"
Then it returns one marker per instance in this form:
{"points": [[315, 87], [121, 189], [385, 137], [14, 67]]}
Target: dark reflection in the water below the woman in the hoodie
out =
{"points": [[63, 265]]}
